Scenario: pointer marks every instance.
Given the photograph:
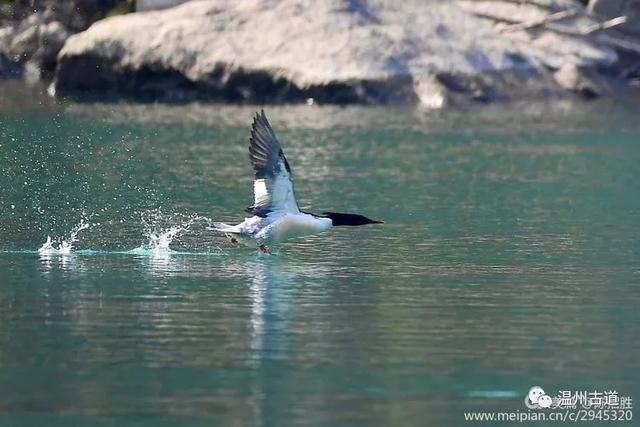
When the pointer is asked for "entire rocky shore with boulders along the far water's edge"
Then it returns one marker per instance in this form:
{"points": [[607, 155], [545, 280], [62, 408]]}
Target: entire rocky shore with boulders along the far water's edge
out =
{"points": [[334, 51]]}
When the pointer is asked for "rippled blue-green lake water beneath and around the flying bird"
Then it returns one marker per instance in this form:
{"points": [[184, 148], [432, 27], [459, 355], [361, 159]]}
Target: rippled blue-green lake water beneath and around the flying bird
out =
{"points": [[510, 258]]}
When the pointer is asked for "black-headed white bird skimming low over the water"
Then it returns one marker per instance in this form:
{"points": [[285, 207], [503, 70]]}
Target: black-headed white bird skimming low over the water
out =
{"points": [[276, 215]]}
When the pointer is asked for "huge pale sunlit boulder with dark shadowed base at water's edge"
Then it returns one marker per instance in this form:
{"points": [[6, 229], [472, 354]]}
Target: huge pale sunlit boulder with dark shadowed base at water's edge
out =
{"points": [[339, 51]]}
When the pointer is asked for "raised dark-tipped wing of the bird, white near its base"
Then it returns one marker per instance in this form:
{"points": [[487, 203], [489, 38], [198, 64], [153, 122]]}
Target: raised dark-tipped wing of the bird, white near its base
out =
{"points": [[272, 186]]}
